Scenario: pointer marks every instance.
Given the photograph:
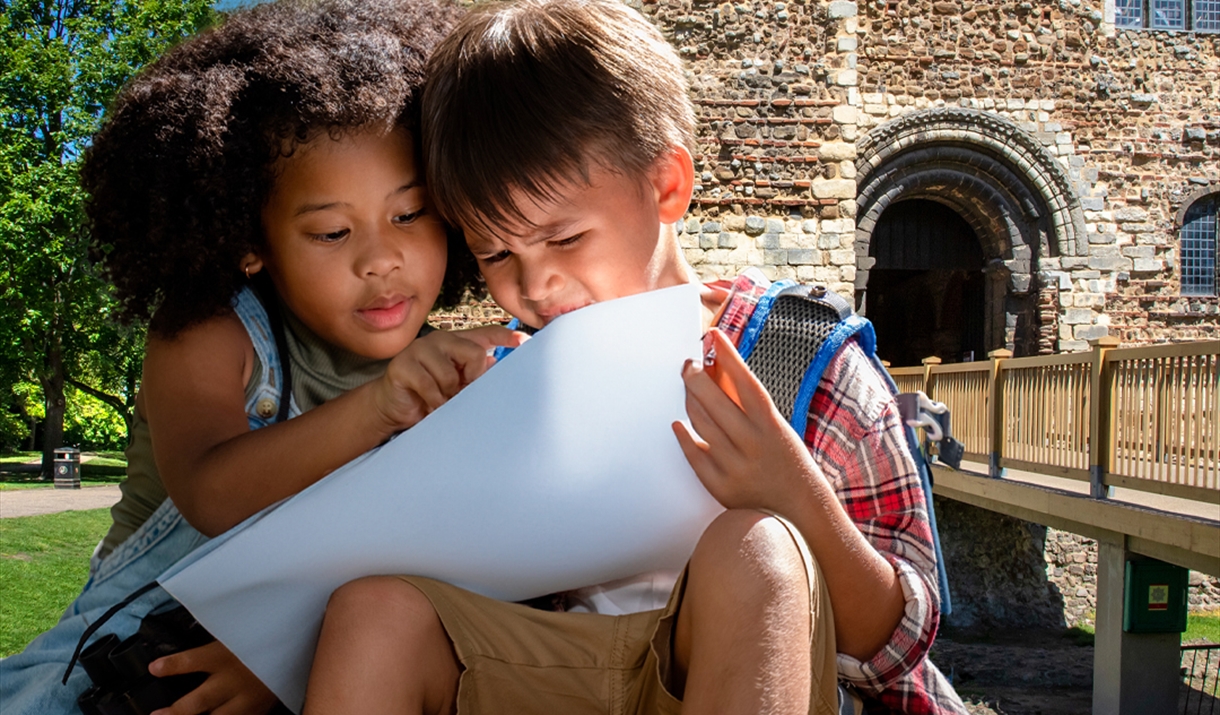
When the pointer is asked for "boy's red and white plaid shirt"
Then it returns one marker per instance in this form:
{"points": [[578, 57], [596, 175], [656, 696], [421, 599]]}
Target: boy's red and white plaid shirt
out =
{"points": [[858, 439]]}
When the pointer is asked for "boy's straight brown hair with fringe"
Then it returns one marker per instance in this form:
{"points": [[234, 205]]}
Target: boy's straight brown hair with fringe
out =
{"points": [[524, 96]]}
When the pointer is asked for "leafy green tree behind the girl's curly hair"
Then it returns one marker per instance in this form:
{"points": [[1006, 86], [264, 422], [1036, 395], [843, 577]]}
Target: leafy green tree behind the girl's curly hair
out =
{"points": [[62, 62]]}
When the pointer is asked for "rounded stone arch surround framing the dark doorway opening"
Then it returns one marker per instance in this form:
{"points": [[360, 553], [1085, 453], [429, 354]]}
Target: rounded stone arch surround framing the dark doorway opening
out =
{"points": [[1007, 186]]}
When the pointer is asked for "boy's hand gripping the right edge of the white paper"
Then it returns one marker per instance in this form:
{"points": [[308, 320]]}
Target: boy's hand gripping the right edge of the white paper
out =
{"points": [[745, 453]]}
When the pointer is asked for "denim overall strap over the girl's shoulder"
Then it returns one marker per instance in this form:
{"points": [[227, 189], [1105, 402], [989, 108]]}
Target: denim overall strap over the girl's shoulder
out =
{"points": [[265, 404]]}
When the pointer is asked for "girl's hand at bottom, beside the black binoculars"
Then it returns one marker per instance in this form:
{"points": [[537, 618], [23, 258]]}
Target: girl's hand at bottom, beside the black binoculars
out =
{"points": [[230, 690]]}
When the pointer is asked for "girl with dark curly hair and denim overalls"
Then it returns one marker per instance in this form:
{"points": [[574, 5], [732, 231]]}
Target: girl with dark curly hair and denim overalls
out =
{"points": [[259, 187]]}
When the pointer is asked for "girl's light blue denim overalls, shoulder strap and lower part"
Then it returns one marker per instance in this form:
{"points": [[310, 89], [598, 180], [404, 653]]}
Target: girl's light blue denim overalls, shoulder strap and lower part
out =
{"points": [[31, 680]]}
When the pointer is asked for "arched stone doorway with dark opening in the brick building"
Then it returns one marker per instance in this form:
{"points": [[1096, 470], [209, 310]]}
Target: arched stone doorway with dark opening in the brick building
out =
{"points": [[985, 199]]}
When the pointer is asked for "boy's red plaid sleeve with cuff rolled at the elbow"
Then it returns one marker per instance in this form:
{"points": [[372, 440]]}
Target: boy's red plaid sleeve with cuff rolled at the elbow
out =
{"points": [[856, 435]]}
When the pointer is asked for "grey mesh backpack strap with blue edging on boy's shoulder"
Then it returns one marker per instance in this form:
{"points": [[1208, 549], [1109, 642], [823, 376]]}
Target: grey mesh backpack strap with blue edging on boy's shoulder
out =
{"points": [[791, 339]]}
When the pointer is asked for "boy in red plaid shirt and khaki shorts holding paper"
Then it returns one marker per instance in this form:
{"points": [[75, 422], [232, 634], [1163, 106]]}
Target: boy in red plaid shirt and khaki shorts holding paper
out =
{"points": [[558, 136]]}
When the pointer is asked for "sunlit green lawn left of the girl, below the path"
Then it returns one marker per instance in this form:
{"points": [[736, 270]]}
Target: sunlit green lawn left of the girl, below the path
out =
{"points": [[45, 562]]}
